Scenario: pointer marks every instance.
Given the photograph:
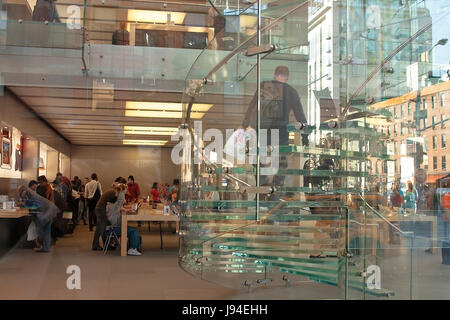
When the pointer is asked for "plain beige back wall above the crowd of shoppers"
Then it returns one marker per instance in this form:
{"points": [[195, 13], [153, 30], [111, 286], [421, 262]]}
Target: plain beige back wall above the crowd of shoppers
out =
{"points": [[146, 164]]}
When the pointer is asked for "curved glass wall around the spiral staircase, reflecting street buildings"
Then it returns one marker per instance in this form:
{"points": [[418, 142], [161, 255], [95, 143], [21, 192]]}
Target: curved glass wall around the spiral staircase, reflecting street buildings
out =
{"points": [[306, 135]]}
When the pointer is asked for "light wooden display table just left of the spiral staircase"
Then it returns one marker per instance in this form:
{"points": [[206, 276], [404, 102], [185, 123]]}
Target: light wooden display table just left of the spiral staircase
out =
{"points": [[145, 213]]}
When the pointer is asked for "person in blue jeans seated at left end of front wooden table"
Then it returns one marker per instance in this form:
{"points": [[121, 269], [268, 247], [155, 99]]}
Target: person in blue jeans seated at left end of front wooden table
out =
{"points": [[113, 214]]}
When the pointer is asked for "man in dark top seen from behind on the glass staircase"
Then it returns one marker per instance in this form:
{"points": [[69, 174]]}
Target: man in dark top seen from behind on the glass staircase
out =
{"points": [[277, 100]]}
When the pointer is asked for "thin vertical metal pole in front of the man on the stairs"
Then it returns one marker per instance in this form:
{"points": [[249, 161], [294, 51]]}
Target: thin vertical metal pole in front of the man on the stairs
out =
{"points": [[258, 122]]}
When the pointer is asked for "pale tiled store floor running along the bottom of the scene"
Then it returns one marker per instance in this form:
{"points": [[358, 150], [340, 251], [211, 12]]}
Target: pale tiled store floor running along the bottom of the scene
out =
{"points": [[25, 274]]}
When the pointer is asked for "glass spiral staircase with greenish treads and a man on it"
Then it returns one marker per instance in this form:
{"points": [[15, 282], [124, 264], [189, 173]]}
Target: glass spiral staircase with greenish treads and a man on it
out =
{"points": [[322, 217]]}
